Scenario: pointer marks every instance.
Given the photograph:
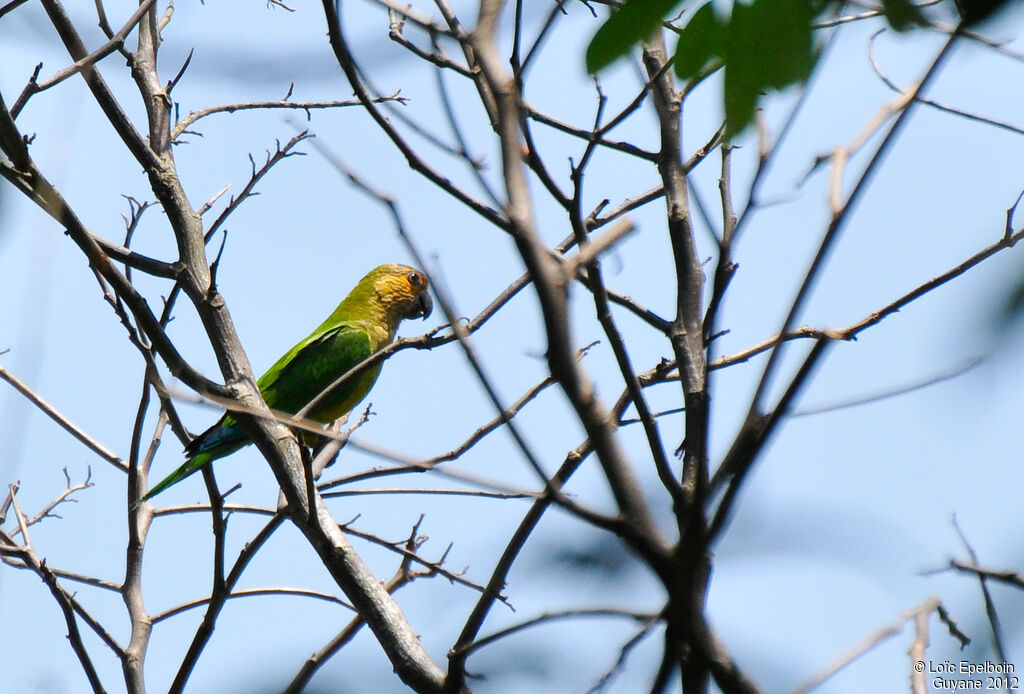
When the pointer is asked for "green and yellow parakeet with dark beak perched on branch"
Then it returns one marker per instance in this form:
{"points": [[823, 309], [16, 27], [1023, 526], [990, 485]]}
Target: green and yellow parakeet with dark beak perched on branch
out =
{"points": [[365, 323]]}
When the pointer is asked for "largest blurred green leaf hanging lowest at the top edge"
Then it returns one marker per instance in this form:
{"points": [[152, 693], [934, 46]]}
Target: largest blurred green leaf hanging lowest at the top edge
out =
{"points": [[769, 46]]}
